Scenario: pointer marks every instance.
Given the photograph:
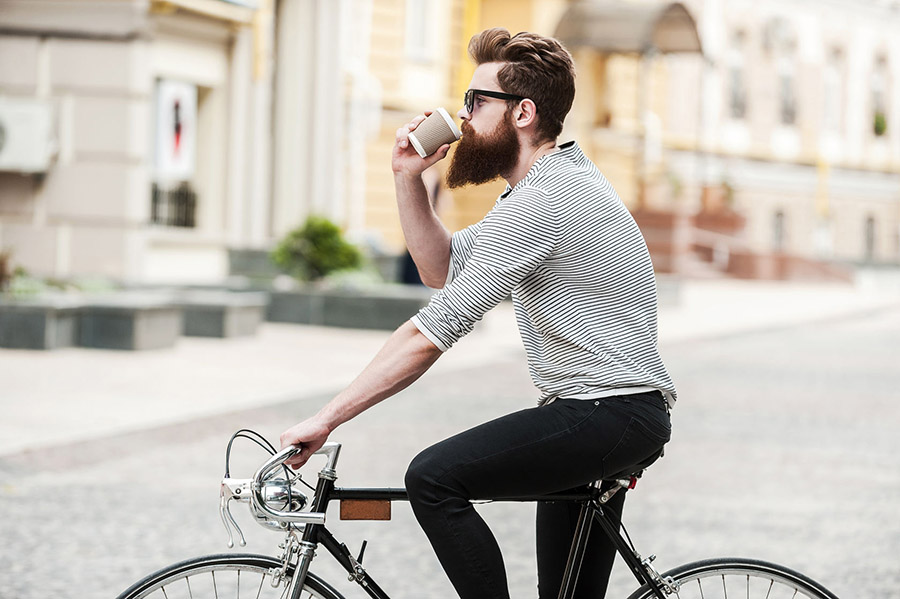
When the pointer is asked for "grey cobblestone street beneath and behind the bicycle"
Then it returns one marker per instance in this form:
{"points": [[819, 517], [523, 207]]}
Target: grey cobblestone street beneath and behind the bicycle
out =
{"points": [[784, 449]]}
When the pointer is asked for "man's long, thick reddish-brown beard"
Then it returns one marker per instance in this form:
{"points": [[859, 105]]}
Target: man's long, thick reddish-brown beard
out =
{"points": [[482, 158]]}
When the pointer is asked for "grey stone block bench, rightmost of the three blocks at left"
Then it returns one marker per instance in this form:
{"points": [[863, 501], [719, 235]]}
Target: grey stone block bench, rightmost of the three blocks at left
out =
{"points": [[210, 313]]}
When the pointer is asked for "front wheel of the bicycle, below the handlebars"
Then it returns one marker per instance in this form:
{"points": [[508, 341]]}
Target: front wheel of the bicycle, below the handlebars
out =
{"points": [[192, 577]]}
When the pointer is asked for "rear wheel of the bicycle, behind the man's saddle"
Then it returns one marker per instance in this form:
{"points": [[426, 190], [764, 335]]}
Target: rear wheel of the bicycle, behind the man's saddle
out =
{"points": [[734, 577]]}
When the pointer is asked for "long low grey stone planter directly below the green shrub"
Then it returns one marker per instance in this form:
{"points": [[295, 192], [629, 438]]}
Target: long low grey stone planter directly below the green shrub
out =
{"points": [[382, 307]]}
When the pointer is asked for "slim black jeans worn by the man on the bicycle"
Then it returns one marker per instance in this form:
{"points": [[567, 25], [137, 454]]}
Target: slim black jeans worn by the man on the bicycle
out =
{"points": [[560, 446]]}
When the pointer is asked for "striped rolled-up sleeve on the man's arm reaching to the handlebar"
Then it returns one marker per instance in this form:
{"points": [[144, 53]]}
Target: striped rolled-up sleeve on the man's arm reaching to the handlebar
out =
{"points": [[519, 234]]}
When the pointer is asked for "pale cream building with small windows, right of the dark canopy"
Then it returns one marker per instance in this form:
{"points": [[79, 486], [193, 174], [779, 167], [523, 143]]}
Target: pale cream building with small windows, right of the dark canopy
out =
{"points": [[798, 126]]}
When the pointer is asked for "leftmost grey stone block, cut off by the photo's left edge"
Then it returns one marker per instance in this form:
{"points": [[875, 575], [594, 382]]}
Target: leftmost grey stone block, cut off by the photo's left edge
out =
{"points": [[39, 323]]}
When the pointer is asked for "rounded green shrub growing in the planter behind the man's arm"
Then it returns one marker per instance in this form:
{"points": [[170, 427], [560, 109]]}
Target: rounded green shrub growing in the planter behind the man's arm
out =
{"points": [[316, 249]]}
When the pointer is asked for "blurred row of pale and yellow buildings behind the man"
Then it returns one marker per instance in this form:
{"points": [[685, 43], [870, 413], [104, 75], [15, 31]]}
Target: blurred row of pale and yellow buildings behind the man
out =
{"points": [[155, 140]]}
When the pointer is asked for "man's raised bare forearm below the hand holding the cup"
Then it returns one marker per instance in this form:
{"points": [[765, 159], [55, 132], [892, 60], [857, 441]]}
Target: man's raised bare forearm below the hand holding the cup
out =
{"points": [[427, 239]]}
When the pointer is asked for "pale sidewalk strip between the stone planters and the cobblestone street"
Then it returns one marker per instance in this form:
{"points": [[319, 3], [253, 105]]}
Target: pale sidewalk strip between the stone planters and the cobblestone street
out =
{"points": [[73, 394]]}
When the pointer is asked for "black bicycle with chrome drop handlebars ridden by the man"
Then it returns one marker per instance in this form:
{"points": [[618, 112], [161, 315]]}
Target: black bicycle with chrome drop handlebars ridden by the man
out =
{"points": [[277, 500]]}
